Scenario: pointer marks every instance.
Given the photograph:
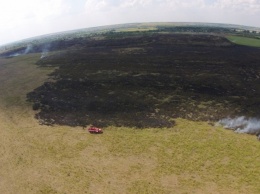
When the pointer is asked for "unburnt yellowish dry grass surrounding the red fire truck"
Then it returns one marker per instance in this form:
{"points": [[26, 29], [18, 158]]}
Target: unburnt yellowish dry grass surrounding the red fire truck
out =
{"points": [[192, 157]]}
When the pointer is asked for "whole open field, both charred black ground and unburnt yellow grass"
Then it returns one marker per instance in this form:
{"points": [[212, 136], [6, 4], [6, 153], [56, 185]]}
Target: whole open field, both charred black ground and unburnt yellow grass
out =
{"points": [[157, 97]]}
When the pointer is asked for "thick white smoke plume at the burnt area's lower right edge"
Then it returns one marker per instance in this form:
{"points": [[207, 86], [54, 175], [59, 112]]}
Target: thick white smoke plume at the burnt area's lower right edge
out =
{"points": [[242, 125]]}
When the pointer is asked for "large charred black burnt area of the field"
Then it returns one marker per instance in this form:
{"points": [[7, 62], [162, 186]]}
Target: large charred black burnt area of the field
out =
{"points": [[148, 80]]}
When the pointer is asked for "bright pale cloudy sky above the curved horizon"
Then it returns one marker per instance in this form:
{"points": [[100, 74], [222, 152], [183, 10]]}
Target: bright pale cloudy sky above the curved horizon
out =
{"points": [[20, 19]]}
